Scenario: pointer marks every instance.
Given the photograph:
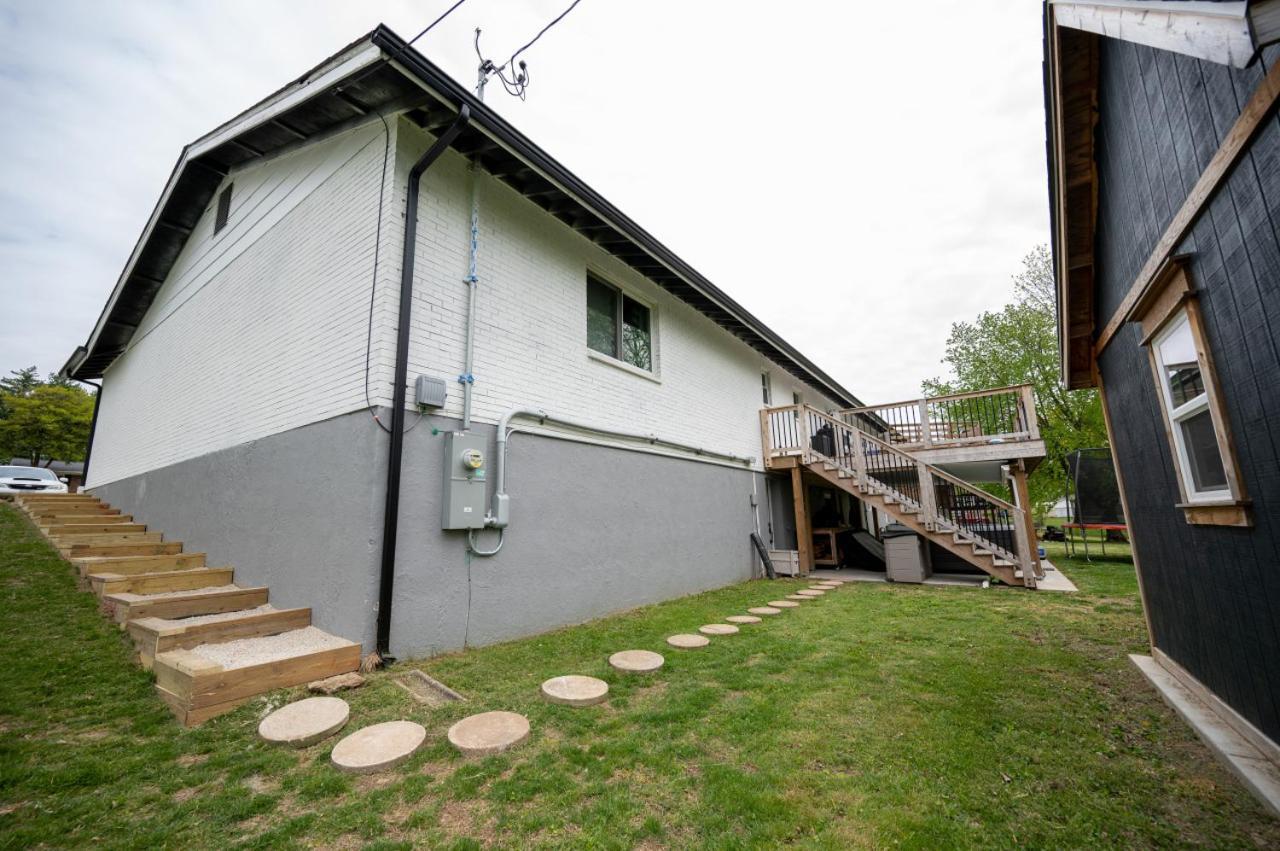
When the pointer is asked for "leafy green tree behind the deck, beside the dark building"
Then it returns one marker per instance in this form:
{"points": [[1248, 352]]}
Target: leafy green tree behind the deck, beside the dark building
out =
{"points": [[1018, 345]]}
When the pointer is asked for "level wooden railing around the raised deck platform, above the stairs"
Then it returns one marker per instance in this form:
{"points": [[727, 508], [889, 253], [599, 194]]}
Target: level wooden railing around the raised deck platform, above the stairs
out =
{"points": [[962, 419]]}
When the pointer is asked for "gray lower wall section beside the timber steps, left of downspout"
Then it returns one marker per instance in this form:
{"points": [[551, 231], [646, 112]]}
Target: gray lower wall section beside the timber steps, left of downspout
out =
{"points": [[295, 511]]}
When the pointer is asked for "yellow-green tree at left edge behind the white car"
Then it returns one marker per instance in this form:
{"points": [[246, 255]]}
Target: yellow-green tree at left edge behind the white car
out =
{"points": [[43, 420]]}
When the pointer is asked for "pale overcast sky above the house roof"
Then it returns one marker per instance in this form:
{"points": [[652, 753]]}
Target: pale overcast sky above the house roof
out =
{"points": [[860, 176]]}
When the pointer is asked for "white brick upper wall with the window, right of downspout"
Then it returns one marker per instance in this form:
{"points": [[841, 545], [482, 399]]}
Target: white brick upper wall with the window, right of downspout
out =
{"points": [[531, 346]]}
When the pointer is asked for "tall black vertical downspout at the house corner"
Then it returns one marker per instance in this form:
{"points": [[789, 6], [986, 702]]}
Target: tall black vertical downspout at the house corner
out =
{"points": [[391, 513]]}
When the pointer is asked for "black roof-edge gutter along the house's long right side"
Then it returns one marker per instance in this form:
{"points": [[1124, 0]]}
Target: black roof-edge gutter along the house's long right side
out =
{"points": [[455, 94]]}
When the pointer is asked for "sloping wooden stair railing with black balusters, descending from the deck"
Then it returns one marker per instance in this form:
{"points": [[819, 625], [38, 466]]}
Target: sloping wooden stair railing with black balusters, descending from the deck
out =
{"points": [[939, 500]]}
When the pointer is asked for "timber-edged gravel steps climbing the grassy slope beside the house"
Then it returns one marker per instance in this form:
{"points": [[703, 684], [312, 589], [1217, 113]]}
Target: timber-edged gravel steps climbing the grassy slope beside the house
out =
{"points": [[184, 615]]}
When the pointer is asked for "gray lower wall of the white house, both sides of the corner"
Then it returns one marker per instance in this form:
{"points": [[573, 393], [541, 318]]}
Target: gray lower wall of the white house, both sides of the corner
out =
{"points": [[593, 530]]}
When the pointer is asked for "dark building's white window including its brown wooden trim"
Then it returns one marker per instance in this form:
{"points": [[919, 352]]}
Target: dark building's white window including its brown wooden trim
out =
{"points": [[1191, 404]]}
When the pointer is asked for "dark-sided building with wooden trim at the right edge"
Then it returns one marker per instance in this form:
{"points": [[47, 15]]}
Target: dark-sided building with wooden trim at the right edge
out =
{"points": [[1165, 182]]}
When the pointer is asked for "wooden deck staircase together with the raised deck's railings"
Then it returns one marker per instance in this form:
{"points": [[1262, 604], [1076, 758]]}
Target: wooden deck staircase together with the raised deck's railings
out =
{"points": [[879, 461]]}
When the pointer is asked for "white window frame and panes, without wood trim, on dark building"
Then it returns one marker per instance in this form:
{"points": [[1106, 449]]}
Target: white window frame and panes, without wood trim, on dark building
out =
{"points": [[1187, 409]]}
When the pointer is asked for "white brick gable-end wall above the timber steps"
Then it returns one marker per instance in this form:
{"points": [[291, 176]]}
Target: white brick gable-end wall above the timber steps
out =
{"points": [[260, 328]]}
